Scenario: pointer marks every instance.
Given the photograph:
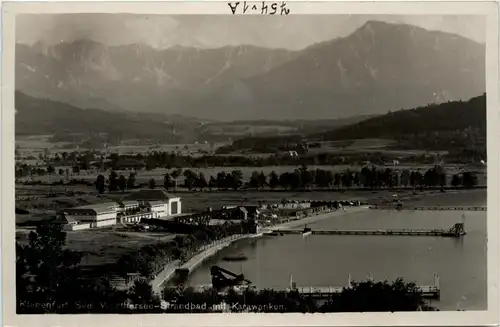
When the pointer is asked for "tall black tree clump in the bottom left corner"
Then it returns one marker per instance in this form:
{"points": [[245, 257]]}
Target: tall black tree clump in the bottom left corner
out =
{"points": [[48, 272]]}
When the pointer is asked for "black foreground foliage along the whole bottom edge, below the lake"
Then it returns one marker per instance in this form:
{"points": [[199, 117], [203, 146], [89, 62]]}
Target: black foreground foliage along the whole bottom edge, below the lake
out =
{"points": [[49, 280]]}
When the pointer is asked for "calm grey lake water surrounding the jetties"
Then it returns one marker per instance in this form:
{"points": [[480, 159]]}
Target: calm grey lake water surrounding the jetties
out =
{"points": [[328, 260]]}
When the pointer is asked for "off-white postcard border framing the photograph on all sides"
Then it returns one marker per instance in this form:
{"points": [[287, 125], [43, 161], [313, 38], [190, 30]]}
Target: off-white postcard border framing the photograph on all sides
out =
{"points": [[489, 317]]}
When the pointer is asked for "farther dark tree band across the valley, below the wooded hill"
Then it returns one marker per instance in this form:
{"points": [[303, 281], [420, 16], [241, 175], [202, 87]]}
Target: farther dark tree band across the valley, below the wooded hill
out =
{"points": [[75, 162]]}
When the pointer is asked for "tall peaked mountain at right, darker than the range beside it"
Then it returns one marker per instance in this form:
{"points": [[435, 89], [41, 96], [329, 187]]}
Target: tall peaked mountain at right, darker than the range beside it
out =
{"points": [[307, 80]]}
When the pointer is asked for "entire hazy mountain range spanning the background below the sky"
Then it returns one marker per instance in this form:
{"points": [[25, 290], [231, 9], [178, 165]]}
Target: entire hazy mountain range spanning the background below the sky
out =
{"points": [[378, 68]]}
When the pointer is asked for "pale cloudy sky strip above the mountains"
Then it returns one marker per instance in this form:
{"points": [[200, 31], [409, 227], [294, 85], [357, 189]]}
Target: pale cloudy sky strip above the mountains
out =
{"points": [[292, 32]]}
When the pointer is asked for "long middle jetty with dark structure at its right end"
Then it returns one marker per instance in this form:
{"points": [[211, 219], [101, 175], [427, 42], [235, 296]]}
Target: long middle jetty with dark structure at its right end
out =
{"points": [[456, 231]]}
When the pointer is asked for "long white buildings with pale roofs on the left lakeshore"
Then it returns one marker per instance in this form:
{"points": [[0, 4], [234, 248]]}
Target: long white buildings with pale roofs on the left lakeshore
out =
{"points": [[144, 204]]}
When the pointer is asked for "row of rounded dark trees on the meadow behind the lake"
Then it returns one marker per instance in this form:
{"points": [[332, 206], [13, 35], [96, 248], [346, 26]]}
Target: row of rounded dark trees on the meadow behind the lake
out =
{"points": [[299, 179]]}
